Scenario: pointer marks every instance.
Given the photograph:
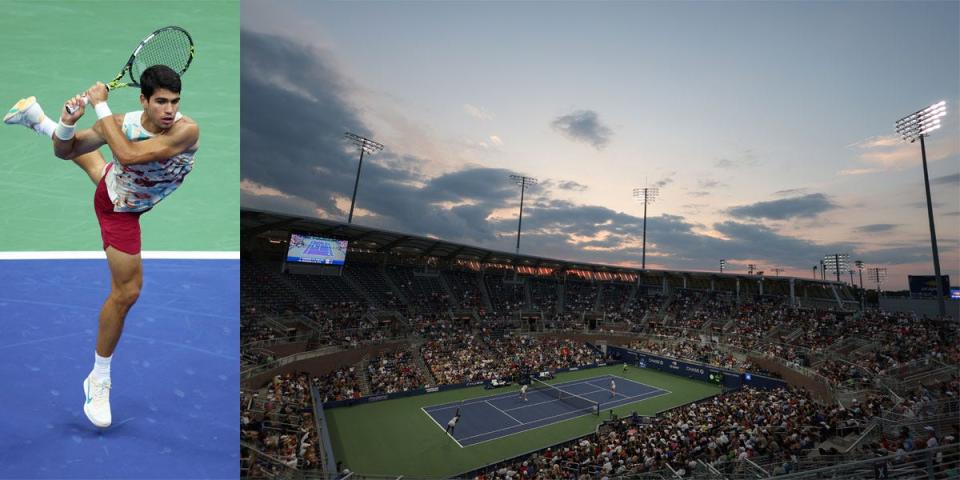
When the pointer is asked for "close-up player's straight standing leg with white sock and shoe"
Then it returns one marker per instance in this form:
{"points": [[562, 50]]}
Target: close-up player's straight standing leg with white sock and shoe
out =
{"points": [[126, 278]]}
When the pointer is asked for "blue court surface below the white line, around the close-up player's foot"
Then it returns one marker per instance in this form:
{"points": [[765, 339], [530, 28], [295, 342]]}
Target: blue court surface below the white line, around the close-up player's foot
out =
{"points": [[175, 372]]}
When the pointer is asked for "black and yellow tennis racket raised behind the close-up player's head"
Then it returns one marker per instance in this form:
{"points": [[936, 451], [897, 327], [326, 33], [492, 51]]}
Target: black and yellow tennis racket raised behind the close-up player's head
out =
{"points": [[170, 46]]}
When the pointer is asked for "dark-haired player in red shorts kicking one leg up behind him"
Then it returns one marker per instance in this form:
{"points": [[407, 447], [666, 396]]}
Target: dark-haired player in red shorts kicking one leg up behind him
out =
{"points": [[153, 151]]}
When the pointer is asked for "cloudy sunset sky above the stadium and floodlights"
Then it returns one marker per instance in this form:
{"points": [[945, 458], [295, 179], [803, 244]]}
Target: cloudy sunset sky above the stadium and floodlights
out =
{"points": [[767, 126]]}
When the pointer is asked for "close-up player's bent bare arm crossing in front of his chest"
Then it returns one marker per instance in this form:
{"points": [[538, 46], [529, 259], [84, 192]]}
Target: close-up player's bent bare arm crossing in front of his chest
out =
{"points": [[181, 137]]}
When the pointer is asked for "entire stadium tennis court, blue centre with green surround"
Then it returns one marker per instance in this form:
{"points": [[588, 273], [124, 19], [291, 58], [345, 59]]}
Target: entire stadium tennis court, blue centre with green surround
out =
{"points": [[400, 437]]}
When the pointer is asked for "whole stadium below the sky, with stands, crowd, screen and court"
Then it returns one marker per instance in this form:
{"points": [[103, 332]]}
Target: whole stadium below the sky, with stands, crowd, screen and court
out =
{"points": [[407, 358]]}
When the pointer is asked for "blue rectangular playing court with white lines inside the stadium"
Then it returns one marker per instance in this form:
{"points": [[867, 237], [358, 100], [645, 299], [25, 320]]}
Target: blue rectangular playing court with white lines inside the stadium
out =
{"points": [[489, 418]]}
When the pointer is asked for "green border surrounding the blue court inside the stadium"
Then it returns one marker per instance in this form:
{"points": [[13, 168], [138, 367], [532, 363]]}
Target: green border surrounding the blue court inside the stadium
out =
{"points": [[395, 437]]}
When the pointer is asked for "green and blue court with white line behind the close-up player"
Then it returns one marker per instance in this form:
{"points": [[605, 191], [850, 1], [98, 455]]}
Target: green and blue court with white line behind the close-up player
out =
{"points": [[174, 371]]}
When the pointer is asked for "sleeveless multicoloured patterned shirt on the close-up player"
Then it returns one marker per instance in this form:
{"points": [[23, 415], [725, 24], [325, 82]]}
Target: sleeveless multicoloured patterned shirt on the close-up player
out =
{"points": [[136, 188]]}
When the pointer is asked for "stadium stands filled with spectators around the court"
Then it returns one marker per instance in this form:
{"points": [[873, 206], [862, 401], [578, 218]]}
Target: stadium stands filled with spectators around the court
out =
{"points": [[890, 383]]}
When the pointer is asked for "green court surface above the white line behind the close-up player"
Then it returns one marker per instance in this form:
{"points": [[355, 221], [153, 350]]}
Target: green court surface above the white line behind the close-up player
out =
{"points": [[54, 50]]}
